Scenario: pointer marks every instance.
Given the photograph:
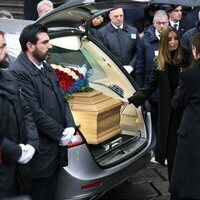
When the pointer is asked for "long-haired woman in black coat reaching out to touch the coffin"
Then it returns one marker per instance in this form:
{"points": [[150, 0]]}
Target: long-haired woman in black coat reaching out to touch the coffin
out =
{"points": [[165, 77]]}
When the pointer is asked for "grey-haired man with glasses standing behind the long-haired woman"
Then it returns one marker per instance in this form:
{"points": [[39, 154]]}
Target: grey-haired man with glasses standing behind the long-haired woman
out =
{"points": [[145, 57]]}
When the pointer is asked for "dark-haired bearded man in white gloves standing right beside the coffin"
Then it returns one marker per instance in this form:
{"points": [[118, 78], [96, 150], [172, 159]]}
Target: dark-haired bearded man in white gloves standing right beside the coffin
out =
{"points": [[52, 115]]}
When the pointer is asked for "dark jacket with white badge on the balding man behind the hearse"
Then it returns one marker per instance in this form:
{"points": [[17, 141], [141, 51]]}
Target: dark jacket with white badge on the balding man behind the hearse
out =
{"points": [[123, 43]]}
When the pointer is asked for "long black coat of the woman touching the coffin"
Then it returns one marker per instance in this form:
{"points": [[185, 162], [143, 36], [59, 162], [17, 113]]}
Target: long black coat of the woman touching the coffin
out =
{"points": [[167, 122]]}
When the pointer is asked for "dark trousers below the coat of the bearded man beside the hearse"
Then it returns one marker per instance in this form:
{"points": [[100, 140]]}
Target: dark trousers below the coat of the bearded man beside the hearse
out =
{"points": [[45, 188]]}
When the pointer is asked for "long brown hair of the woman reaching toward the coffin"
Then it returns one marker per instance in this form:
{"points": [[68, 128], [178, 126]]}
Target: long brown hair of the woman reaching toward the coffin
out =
{"points": [[164, 55]]}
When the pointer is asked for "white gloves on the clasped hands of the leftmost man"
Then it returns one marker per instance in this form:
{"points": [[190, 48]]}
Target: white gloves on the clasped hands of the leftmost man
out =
{"points": [[27, 153]]}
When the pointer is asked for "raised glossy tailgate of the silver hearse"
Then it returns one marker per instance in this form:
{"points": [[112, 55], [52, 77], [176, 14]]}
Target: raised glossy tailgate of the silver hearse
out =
{"points": [[75, 12]]}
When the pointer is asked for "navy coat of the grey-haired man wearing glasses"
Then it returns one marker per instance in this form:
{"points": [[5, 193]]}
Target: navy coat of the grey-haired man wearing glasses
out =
{"points": [[145, 58]]}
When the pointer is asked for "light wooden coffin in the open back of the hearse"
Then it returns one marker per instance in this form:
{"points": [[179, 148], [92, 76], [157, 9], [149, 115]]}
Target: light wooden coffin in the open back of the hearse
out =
{"points": [[97, 114]]}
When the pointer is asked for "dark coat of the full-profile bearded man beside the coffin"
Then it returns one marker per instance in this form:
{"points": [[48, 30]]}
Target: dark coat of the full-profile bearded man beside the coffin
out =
{"points": [[50, 113]]}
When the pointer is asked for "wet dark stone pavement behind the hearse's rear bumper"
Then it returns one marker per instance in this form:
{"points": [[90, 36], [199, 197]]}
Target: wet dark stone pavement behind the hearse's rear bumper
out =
{"points": [[150, 183]]}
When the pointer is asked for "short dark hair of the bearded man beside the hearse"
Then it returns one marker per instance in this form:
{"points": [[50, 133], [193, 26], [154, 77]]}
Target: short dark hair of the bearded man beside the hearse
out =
{"points": [[29, 34]]}
